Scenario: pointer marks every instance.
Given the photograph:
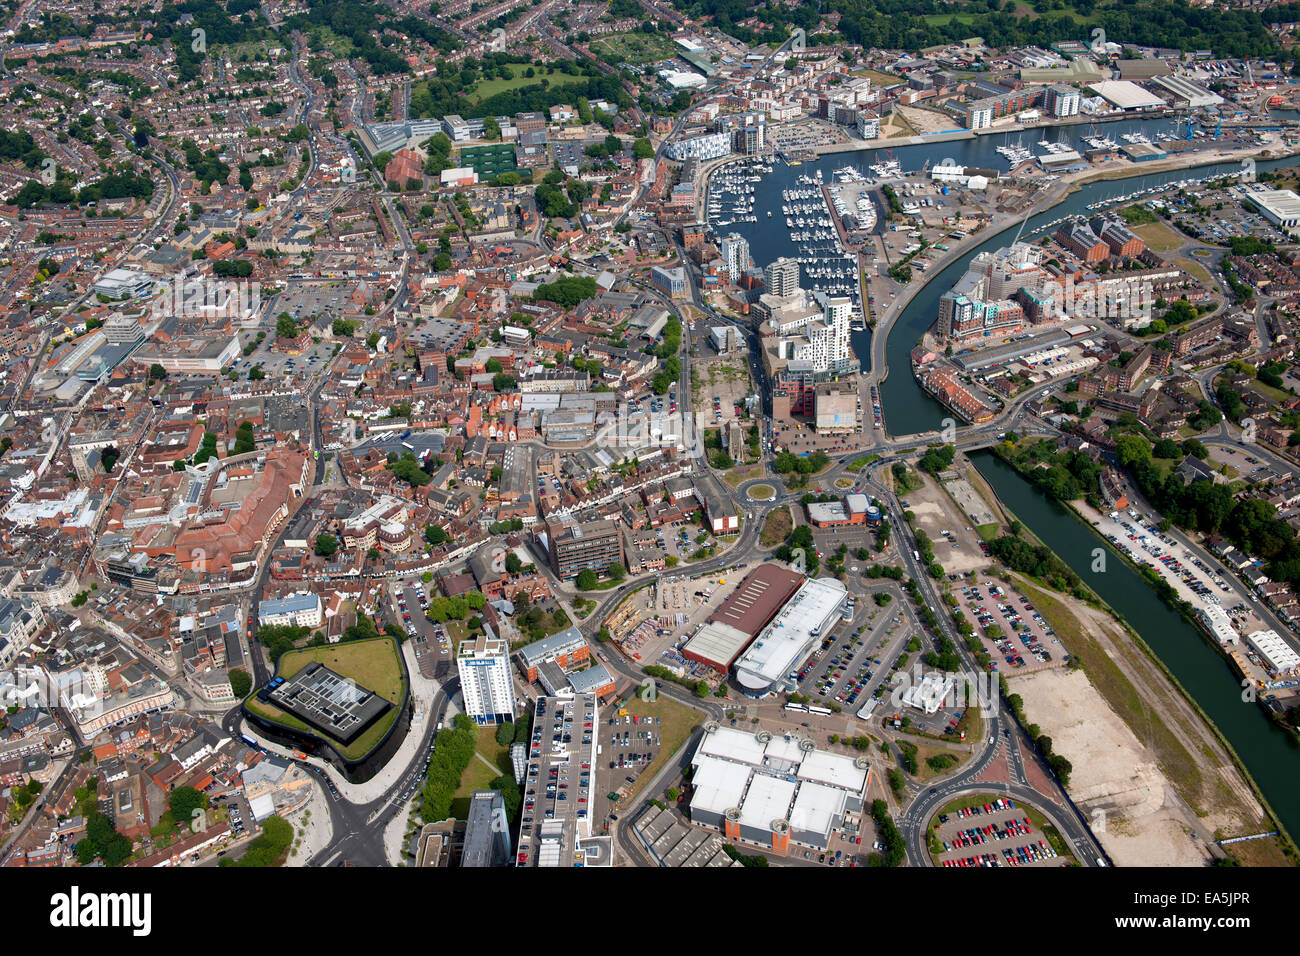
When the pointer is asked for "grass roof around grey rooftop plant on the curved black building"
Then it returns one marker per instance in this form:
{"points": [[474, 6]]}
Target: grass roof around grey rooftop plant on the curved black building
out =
{"points": [[372, 664]]}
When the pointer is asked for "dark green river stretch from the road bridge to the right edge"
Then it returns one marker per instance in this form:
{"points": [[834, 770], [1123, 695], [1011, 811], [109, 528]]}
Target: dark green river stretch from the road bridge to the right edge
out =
{"points": [[1272, 755]]}
